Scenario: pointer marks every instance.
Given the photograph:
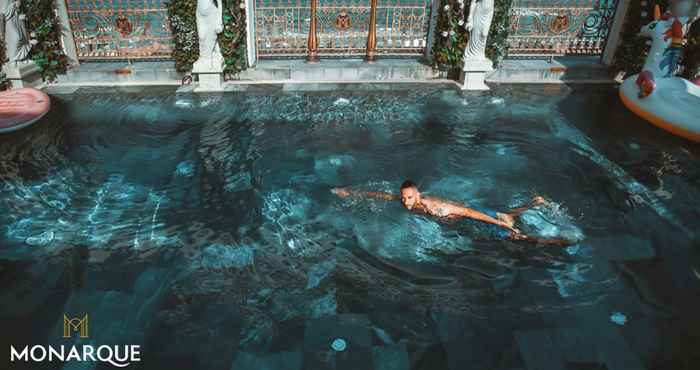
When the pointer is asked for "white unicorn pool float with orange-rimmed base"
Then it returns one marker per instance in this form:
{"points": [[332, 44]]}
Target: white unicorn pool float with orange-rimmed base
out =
{"points": [[656, 94]]}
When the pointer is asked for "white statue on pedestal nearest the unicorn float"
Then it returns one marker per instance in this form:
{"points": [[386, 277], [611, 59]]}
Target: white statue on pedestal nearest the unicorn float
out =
{"points": [[478, 25]]}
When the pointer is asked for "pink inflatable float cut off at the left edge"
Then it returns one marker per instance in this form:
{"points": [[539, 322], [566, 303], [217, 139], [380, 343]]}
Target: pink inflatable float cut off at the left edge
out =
{"points": [[21, 107]]}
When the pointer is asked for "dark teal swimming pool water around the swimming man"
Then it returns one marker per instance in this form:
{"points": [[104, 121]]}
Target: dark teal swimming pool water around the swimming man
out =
{"points": [[203, 228]]}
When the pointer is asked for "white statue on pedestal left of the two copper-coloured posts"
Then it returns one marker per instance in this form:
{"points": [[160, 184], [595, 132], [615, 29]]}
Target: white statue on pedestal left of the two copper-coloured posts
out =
{"points": [[209, 24]]}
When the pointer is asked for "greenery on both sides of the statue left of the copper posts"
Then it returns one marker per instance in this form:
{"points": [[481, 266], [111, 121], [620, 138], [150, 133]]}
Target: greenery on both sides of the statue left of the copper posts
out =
{"points": [[183, 23]]}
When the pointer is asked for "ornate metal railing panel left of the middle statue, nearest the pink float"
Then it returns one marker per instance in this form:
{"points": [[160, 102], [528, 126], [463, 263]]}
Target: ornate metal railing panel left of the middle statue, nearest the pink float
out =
{"points": [[120, 29]]}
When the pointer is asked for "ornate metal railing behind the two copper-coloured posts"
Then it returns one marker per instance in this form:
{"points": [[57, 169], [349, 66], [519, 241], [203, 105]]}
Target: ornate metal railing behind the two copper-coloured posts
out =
{"points": [[282, 27]]}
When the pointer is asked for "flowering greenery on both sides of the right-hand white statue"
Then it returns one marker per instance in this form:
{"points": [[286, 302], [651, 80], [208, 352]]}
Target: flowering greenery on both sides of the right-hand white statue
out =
{"points": [[451, 35]]}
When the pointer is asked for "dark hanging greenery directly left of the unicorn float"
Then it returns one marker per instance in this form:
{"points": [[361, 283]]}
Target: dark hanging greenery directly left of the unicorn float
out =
{"points": [[633, 49]]}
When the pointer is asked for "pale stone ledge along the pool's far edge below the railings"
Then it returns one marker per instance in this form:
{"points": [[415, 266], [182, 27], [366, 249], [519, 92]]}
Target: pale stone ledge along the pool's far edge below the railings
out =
{"points": [[329, 74]]}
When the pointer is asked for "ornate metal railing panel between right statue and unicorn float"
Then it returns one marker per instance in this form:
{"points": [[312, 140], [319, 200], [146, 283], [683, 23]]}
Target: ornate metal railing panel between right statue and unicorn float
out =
{"points": [[562, 27]]}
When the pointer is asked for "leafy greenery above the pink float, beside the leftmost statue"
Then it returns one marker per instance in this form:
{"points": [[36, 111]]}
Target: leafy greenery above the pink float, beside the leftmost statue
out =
{"points": [[43, 27]]}
